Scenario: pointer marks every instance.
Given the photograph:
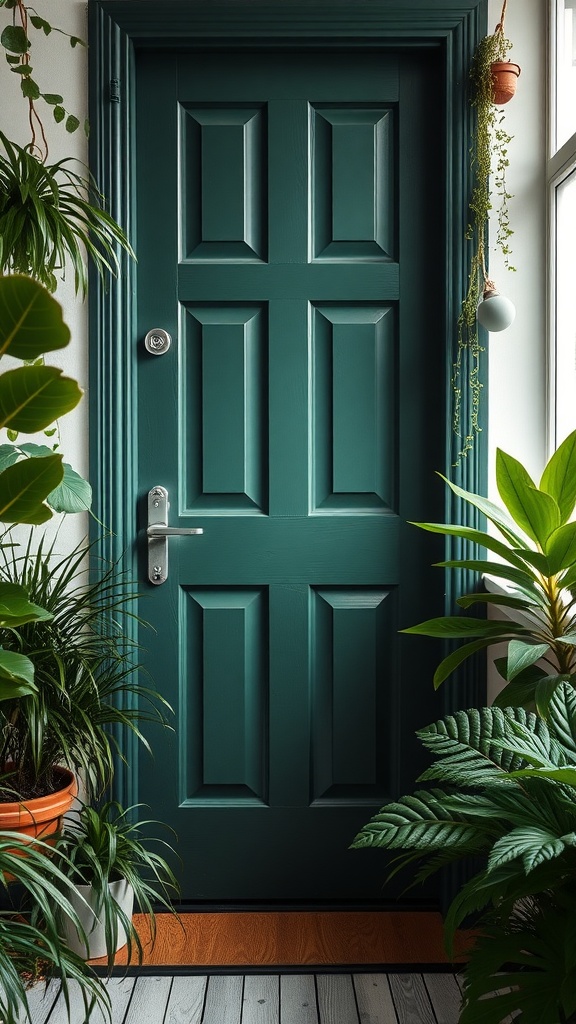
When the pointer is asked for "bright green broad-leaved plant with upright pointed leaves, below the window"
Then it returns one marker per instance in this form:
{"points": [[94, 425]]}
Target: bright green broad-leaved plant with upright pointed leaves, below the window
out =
{"points": [[534, 542]]}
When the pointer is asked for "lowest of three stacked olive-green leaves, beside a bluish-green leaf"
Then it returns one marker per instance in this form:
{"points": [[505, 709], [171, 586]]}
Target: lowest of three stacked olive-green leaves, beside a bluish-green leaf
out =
{"points": [[24, 488]]}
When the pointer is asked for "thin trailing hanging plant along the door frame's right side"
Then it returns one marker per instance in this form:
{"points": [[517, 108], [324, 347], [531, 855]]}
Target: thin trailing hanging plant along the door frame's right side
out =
{"points": [[489, 162]]}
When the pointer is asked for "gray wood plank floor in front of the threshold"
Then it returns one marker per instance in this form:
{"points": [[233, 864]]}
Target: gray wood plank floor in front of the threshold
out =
{"points": [[270, 999]]}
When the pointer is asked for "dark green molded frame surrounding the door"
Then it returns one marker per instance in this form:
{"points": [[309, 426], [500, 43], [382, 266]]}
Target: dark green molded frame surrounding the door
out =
{"points": [[117, 30]]}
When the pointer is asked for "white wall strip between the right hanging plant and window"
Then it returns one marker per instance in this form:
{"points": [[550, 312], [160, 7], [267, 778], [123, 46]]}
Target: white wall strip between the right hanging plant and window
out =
{"points": [[518, 415]]}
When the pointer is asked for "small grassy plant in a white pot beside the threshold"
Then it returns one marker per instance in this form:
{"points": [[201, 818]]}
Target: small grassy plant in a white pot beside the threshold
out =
{"points": [[112, 867]]}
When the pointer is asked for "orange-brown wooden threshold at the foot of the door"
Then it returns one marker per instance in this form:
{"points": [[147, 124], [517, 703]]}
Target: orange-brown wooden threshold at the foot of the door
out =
{"points": [[294, 938]]}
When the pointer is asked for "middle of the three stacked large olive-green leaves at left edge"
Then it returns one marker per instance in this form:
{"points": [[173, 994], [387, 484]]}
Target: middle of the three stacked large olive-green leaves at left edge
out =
{"points": [[32, 398]]}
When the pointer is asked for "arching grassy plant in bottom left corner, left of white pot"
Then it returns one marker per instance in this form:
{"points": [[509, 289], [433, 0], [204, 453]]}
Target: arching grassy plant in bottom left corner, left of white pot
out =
{"points": [[30, 947]]}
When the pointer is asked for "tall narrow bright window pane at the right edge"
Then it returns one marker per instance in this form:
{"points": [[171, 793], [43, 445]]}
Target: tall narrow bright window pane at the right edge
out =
{"points": [[562, 182]]}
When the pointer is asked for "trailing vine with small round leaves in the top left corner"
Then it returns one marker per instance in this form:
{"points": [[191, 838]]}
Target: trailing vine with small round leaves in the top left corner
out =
{"points": [[17, 41]]}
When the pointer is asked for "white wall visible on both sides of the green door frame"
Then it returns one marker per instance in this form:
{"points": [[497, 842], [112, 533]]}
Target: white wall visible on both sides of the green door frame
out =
{"points": [[518, 368]]}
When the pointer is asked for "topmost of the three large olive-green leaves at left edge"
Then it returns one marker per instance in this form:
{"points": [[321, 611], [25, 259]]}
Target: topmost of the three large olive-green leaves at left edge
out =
{"points": [[31, 321]]}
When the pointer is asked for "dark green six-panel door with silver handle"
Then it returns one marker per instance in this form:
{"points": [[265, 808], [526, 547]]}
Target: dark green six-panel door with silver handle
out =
{"points": [[290, 215]]}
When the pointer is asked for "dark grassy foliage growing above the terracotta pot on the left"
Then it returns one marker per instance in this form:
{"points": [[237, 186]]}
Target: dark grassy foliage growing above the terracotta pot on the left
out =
{"points": [[86, 678]]}
